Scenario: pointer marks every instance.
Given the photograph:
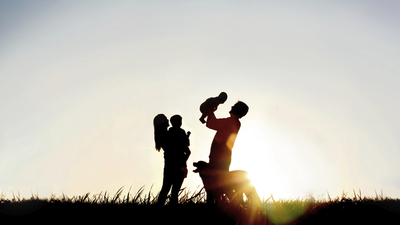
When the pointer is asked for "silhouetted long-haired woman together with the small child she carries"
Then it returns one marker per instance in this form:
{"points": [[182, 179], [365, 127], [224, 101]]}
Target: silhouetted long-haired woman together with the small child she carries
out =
{"points": [[175, 144]]}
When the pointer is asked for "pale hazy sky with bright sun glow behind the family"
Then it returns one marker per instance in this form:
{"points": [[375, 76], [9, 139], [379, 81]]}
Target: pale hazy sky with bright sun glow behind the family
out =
{"points": [[81, 81]]}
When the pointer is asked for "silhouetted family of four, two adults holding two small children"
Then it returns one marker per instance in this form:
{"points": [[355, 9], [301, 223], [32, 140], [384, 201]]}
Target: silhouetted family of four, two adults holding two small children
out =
{"points": [[175, 143]]}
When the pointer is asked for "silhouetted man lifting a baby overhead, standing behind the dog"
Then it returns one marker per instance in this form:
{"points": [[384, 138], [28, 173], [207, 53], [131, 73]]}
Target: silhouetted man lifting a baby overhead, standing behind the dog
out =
{"points": [[224, 139]]}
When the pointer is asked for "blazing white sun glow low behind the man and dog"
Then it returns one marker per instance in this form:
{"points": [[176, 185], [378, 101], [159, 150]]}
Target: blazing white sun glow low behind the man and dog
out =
{"points": [[275, 166]]}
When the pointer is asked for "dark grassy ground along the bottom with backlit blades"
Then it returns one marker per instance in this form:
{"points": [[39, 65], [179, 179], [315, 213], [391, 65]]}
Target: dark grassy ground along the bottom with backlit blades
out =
{"points": [[141, 208]]}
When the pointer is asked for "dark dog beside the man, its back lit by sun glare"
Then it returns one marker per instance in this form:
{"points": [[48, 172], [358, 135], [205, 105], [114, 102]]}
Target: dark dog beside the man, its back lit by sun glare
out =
{"points": [[228, 186]]}
